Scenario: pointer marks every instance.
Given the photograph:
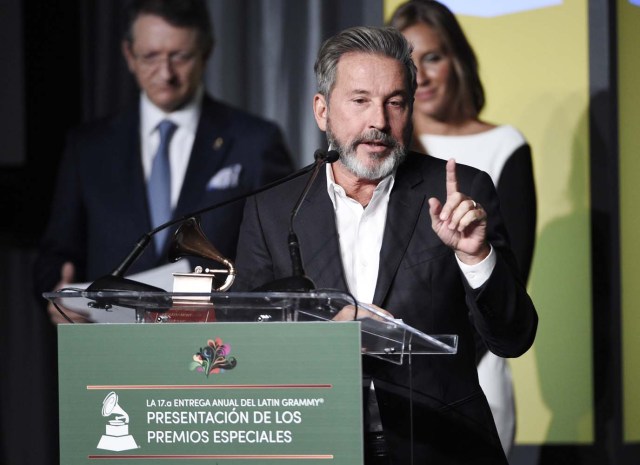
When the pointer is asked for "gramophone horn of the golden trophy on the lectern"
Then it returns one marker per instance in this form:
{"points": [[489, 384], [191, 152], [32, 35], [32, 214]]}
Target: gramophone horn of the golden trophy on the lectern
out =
{"points": [[190, 240]]}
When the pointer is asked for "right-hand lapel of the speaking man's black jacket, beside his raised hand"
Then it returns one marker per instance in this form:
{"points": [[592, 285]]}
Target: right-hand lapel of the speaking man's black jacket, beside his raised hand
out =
{"points": [[403, 212]]}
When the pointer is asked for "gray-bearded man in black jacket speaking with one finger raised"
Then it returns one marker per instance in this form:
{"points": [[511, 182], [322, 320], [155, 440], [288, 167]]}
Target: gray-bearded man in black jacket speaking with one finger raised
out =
{"points": [[441, 268]]}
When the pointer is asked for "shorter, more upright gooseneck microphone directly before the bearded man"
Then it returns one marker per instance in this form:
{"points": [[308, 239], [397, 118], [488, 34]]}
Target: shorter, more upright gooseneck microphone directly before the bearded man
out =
{"points": [[298, 281]]}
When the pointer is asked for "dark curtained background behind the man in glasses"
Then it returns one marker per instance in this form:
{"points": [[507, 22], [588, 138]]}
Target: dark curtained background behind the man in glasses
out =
{"points": [[61, 66]]}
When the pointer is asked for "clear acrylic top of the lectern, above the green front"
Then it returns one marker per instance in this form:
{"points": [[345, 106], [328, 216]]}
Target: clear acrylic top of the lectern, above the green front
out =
{"points": [[382, 337]]}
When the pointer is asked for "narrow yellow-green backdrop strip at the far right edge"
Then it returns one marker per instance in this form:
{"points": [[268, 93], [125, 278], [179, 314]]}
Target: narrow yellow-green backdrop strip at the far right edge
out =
{"points": [[629, 98]]}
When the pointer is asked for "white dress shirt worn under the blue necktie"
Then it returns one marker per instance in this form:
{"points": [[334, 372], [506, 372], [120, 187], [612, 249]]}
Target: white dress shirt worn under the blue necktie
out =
{"points": [[181, 143]]}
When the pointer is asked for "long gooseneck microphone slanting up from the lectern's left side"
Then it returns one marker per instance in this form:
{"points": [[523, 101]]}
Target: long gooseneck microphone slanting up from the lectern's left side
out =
{"points": [[115, 281]]}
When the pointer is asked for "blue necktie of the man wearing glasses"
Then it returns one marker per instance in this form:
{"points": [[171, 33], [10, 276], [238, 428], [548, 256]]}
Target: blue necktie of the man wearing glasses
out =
{"points": [[159, 185]]}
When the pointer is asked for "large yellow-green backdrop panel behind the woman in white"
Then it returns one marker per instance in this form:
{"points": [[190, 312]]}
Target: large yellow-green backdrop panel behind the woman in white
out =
{"points": [[534, 66]]}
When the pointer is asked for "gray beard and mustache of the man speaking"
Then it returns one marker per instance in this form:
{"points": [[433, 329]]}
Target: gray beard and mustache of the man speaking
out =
{"points": [[386, 164]]}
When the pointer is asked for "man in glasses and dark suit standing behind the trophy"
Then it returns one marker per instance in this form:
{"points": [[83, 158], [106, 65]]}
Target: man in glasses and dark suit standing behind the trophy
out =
{"points": [[217, 152]]}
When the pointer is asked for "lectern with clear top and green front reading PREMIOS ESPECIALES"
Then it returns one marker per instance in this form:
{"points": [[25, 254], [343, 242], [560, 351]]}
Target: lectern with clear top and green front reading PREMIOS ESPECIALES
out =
{"points": [[227, 377]]}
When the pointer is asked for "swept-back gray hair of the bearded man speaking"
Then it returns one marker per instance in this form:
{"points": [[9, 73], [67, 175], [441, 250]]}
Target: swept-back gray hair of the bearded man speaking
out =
{"points": [[383, 41]]}
